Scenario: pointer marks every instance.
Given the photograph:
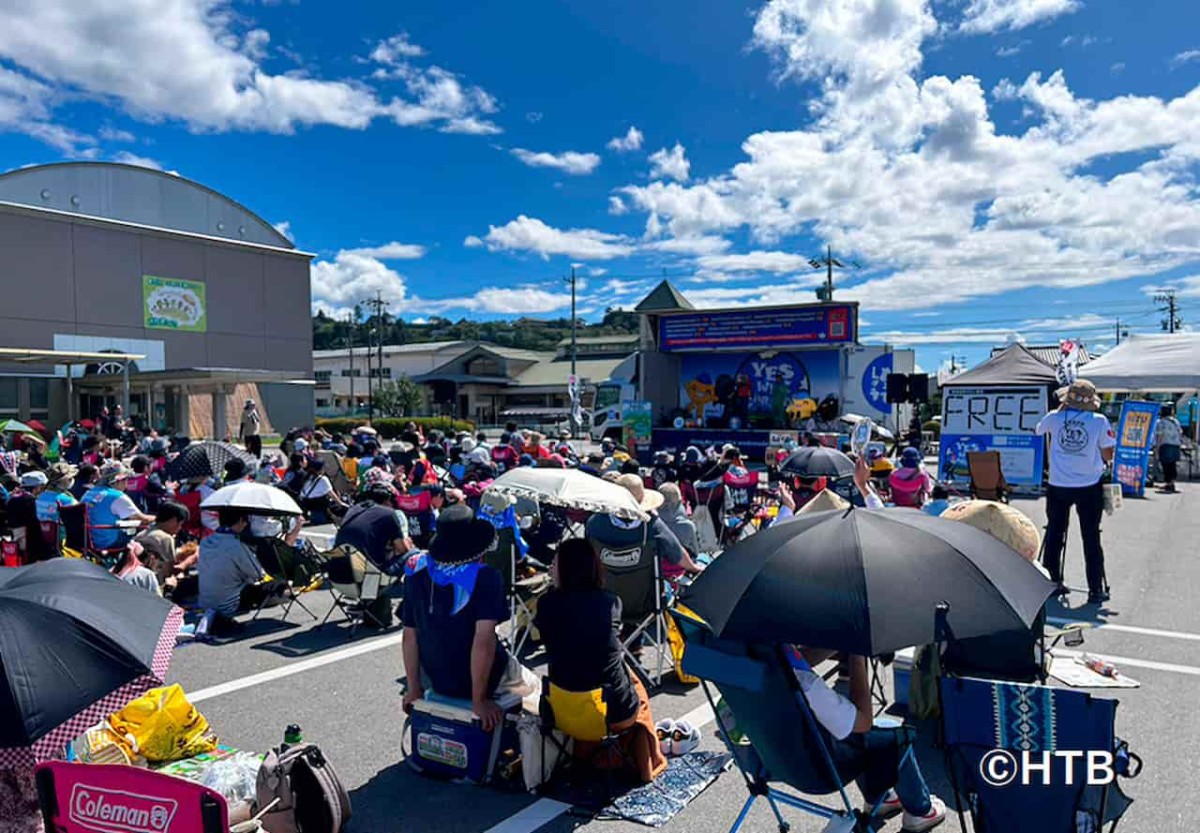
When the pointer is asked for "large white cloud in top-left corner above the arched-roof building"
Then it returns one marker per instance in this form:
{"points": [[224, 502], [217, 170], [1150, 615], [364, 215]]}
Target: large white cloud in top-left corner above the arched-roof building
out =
{"points": [[202, 63]]}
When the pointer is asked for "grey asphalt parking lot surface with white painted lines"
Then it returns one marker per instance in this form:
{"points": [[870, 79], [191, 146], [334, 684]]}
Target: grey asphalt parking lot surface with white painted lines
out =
{"points": [[345, 693]]}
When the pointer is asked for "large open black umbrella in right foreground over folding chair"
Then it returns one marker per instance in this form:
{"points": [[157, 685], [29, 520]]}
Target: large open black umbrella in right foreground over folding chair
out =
{"points": [[867, 582]]}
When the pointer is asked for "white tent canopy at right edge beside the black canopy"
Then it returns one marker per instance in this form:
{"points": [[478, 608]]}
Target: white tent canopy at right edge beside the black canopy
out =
{"points": [[1149, 363]]}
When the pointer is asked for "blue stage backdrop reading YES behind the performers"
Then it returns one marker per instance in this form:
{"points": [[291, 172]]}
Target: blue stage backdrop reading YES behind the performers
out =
{"points": [[743, 391]]}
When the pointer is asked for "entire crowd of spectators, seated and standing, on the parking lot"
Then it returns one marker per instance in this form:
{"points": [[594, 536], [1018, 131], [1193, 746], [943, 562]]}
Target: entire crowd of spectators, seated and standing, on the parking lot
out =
{"points": [[422, 511]]}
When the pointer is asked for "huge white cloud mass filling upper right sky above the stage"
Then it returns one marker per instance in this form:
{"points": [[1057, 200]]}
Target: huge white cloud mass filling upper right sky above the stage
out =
{"points": [[910, 175]]}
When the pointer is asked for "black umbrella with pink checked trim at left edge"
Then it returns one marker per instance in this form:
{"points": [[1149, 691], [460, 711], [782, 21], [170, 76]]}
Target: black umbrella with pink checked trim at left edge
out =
{"points": [[76, 645]]}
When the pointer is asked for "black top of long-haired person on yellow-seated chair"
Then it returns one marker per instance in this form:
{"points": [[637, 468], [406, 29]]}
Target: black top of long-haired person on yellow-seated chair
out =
{"points": [[581, 633]]}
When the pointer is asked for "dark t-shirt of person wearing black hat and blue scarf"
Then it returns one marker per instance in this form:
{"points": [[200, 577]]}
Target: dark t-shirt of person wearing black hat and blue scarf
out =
{"points": [[445, 639]]}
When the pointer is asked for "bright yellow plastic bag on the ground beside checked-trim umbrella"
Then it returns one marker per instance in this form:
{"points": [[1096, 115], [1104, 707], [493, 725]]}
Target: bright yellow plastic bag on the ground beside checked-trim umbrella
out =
{"points": [[163, 726]]}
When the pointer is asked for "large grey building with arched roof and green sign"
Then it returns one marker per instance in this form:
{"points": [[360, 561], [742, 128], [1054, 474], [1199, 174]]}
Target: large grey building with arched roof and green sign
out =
{"points": [[128, 285]]}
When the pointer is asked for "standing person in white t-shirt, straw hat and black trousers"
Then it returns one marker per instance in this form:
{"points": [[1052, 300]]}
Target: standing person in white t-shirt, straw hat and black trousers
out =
{"points": [[1082, 444]]}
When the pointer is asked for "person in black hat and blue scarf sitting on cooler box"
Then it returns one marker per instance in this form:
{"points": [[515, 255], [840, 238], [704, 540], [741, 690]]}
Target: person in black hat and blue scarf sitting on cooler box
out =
{"points": [[453, 604]]}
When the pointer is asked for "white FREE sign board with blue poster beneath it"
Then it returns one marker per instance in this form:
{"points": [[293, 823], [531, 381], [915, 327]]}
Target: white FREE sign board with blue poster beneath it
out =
{"points": [[1000, 420]]}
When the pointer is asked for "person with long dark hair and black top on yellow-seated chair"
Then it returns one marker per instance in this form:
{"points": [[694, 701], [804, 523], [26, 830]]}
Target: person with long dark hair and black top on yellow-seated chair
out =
{"points": [[580, 626]]}
